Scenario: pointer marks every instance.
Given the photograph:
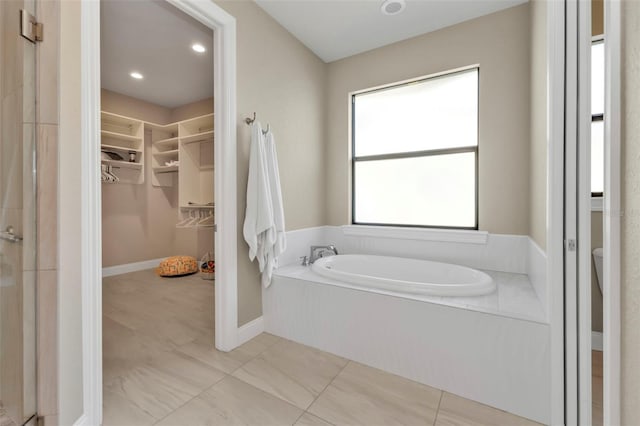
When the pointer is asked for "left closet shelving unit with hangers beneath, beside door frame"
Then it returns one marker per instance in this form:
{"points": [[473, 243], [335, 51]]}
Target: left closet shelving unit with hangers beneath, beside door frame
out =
{"points": [[123, 135]]}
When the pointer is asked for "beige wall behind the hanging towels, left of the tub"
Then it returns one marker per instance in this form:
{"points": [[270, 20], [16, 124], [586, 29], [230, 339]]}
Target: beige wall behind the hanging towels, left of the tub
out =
{"points": [[285, 84]]}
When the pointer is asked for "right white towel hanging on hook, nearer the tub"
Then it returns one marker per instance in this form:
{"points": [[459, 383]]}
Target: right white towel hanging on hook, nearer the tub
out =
{"points": [[280, 243]]}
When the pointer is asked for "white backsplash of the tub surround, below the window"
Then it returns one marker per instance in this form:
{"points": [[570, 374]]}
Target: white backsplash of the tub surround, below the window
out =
{"points": [[517, 254]]}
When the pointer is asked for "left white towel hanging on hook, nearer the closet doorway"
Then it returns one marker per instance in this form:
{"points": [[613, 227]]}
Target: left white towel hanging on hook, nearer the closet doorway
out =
{"points": [[259, 225]]}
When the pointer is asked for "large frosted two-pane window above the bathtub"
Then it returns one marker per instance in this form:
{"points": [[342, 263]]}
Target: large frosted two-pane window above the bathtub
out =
{"points": [[415, 153]]}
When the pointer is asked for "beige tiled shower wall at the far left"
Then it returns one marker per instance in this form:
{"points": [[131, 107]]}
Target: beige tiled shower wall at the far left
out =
{"points": [[17, 308]]}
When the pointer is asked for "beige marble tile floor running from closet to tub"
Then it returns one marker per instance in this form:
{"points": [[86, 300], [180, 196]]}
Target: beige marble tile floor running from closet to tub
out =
{"points": [[161, 368]]}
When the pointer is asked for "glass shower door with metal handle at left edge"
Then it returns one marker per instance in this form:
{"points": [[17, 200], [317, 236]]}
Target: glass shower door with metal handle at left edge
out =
{"points": [[17, 218]]}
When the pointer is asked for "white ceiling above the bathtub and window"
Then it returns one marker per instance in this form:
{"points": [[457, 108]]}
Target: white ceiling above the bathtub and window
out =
{"points": [[336, 29]]}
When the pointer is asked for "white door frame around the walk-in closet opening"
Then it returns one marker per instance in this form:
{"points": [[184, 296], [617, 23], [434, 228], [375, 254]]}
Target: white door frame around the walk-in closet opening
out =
{"points": [[226, 296]]}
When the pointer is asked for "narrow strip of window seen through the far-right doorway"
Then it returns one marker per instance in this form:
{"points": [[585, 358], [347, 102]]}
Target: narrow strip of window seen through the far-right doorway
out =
{"points": [[597, 118]]}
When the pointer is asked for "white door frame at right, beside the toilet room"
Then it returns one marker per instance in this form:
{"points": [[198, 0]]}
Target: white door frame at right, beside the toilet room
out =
{"points": [[578, 325]]}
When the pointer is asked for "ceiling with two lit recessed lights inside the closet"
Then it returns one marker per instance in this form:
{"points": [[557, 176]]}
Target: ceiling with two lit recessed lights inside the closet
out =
{"points": [[154, 38]]}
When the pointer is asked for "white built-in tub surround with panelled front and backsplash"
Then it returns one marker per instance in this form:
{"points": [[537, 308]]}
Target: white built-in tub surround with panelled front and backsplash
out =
{"points": [[475, 346]]}
